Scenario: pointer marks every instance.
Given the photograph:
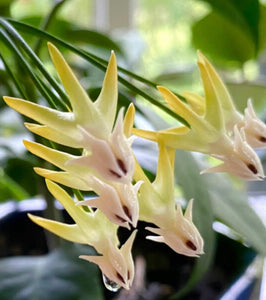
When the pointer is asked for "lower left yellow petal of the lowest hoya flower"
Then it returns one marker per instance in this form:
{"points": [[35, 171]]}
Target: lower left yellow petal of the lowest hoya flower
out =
{"points": [[68, 232]]}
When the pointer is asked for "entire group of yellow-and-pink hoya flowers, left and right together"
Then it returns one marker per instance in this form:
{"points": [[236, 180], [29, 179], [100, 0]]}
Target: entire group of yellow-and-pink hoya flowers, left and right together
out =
{"points": [[107, 166]]}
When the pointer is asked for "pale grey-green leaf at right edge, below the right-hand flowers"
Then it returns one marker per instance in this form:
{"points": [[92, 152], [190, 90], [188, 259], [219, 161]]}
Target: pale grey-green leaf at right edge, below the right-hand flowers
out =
{"points": [[231, 207]]}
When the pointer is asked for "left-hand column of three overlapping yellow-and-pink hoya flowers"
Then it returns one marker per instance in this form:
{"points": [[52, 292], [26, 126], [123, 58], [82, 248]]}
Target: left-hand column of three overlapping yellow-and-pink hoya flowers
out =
{"points": [[105, 166]]}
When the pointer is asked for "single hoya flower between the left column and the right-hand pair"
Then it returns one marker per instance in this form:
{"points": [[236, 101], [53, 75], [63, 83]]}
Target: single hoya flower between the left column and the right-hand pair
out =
{"points": [[157, 206]]}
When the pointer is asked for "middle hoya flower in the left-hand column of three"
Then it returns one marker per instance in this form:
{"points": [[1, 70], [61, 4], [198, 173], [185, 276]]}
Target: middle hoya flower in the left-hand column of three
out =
{"points": [[118, 201]]}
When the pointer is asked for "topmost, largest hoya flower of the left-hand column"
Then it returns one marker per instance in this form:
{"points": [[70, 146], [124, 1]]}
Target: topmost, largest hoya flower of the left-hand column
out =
{"points": [[89, 125]]}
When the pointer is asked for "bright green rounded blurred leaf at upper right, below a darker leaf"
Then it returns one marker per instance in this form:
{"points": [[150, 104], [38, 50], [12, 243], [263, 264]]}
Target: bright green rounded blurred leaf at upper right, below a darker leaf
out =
{"points": [[222, 40]]}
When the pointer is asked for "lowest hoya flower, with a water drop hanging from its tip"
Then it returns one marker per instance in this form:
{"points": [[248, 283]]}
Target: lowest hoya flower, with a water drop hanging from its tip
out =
{"points": [[96, 230]]}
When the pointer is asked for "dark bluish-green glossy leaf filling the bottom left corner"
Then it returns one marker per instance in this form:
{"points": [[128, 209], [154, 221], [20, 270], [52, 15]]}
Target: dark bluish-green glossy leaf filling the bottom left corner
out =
{"points": [[60, 275]]}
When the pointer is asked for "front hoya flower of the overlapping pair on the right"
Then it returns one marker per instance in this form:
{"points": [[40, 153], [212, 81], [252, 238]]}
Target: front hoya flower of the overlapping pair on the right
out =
{"points": [[216, 127]]}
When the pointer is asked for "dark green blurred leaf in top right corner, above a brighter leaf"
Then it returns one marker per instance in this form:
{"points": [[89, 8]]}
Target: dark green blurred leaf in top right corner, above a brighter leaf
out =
{"points": [[243, 14]]}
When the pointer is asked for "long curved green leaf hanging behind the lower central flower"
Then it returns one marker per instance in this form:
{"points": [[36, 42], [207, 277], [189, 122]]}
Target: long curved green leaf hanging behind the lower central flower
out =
{"points": [[195, 186]]}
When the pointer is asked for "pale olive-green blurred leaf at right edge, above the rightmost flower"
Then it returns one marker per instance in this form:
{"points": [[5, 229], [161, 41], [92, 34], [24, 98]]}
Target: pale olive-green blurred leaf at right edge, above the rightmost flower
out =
{"points": [[241, 92]]}
